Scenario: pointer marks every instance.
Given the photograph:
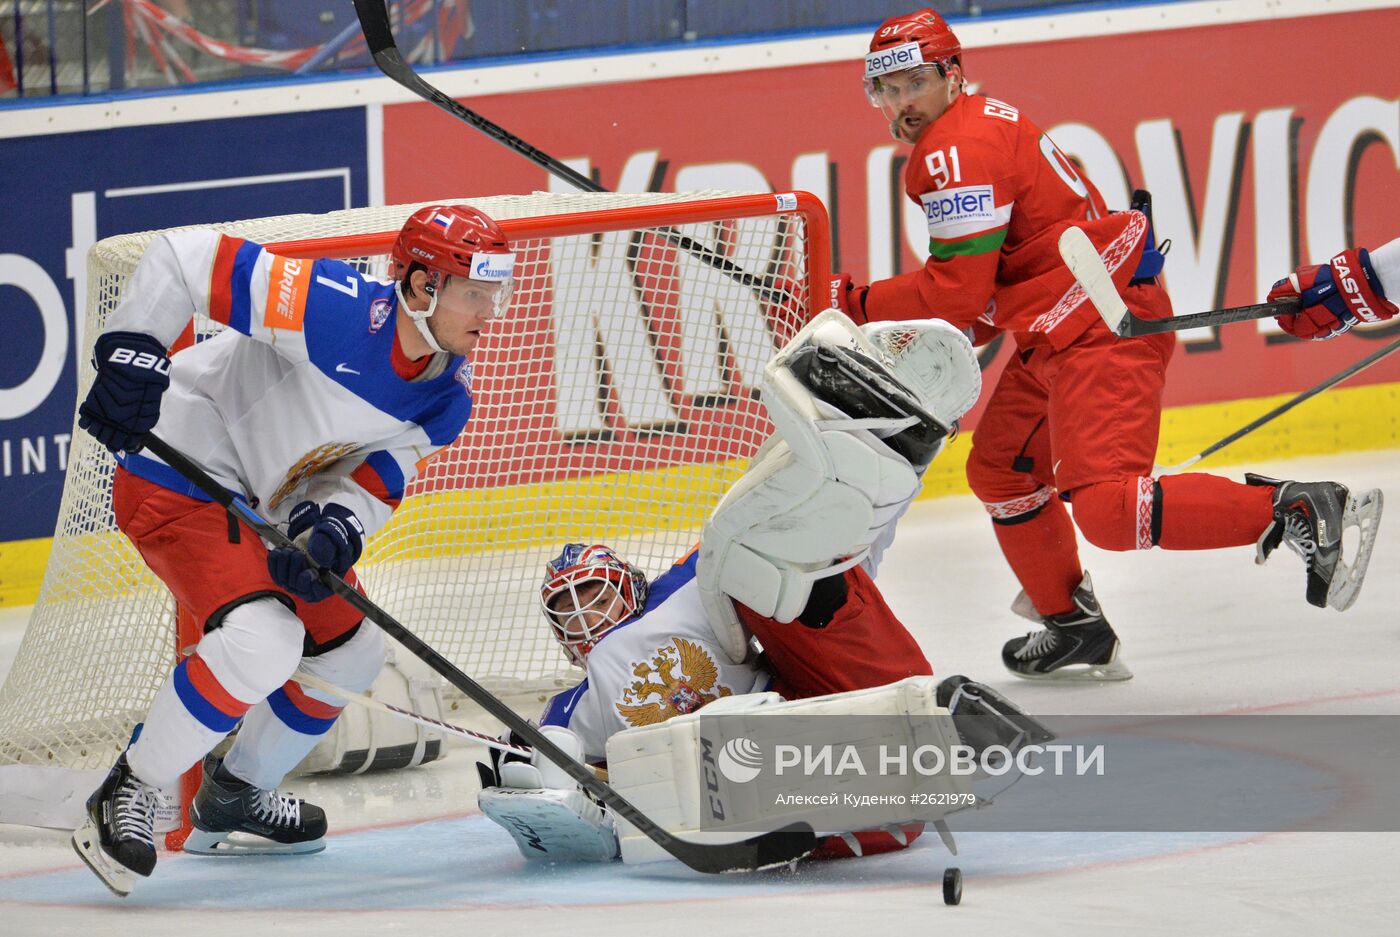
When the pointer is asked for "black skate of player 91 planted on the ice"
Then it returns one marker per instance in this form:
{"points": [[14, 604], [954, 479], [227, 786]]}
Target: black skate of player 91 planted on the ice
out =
{"points": [[1077, 646]]}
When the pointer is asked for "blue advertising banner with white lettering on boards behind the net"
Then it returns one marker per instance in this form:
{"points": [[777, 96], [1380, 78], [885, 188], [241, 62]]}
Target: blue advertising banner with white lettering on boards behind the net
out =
{"points": [[65, 193]]}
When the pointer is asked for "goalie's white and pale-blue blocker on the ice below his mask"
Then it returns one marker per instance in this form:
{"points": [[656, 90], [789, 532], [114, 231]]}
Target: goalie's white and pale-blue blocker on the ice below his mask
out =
{"points": [[545, 812]]}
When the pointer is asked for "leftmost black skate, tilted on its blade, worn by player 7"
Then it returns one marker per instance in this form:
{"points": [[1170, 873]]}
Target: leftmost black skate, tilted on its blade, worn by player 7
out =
{"points": [[117, 841]]}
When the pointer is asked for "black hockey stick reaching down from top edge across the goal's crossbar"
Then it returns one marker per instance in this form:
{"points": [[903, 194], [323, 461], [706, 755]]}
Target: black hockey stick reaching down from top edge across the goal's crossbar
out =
{"points": [[379, 34]]}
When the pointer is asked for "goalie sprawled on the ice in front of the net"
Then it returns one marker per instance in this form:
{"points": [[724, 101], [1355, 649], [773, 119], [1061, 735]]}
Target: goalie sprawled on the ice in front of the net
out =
{"points": [[775, 611]]}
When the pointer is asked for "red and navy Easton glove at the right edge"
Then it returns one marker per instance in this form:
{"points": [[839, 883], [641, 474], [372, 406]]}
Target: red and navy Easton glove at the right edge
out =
{"points": [[1335, 298]]}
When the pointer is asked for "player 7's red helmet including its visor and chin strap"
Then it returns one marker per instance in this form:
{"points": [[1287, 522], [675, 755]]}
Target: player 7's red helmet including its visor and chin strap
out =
{"points": [[453, 240]]}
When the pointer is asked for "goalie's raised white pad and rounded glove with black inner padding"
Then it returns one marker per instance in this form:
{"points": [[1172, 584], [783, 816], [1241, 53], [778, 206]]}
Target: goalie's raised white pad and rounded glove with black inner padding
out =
{"points": [[860, 414]]}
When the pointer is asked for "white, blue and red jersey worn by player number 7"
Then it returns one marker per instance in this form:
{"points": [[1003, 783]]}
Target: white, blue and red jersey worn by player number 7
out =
{"points": [[297, 398]]}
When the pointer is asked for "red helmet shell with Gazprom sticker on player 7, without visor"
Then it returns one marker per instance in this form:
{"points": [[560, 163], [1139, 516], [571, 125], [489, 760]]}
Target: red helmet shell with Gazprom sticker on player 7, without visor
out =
{"points": [[456, 240]]}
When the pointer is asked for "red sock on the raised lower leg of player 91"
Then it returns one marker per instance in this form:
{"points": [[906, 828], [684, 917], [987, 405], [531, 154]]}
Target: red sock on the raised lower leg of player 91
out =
{"points": [[1205, 512]]}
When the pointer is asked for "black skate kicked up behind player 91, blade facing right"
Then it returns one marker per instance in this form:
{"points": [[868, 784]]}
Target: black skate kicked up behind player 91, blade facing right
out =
{"points": [[1311, 519]]}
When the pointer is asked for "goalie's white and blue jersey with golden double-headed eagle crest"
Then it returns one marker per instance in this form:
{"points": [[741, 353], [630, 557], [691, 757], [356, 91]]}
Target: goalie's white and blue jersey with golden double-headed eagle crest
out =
{"points": [[663, 663]]}
